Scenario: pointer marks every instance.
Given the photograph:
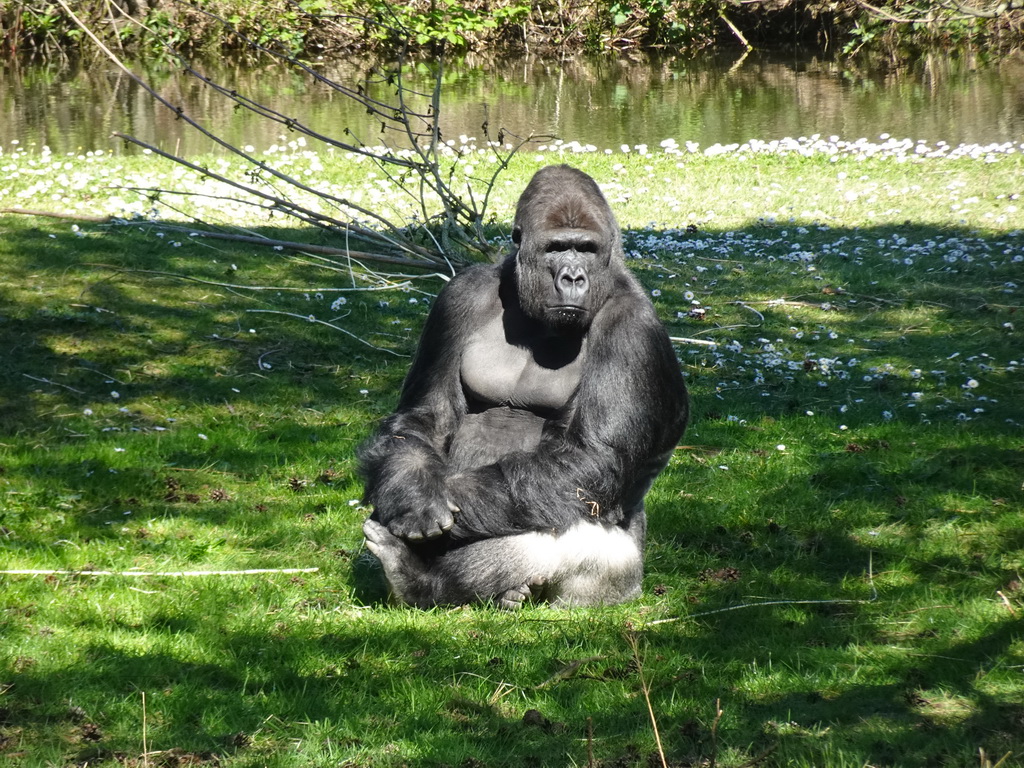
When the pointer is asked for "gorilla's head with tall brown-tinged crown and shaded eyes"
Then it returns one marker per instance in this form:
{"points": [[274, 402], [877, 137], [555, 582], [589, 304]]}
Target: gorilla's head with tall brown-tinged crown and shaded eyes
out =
{"points": [[569, 249]]}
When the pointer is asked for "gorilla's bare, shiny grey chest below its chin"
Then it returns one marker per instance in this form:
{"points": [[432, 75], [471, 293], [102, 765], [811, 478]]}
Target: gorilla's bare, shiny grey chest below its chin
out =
{"points": [[540, 376]]}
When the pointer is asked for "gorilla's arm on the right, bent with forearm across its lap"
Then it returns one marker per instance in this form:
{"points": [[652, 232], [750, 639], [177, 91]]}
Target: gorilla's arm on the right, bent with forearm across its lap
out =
{"points": [[627, 415]]}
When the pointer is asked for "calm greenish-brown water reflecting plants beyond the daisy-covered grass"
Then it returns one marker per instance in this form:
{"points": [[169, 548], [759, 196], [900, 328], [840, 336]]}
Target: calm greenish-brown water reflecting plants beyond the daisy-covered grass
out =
{"points": [[605, 102]]}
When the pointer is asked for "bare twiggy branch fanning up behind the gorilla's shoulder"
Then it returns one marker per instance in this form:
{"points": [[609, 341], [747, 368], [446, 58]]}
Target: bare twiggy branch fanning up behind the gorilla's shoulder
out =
{"points": [[424, 169]]}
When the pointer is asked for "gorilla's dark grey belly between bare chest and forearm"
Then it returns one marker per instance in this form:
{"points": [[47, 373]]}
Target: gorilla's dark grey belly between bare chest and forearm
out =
{"points": [[485, 438]]}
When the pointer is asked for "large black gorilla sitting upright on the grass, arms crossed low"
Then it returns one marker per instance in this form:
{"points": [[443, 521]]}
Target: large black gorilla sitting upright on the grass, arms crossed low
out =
{"points": [[543, 401]]}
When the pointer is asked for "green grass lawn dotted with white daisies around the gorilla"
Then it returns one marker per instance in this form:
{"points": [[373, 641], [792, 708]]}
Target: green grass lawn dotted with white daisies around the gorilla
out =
{"points": [[857, 457]]}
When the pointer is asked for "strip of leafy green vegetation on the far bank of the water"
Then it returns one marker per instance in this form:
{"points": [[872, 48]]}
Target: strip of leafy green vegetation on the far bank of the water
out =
{"points": [[316, 28]]}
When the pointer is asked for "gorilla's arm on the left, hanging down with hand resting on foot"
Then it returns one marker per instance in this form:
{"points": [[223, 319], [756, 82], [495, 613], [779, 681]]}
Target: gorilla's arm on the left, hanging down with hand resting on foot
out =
{"points": [[404, 464]]}
